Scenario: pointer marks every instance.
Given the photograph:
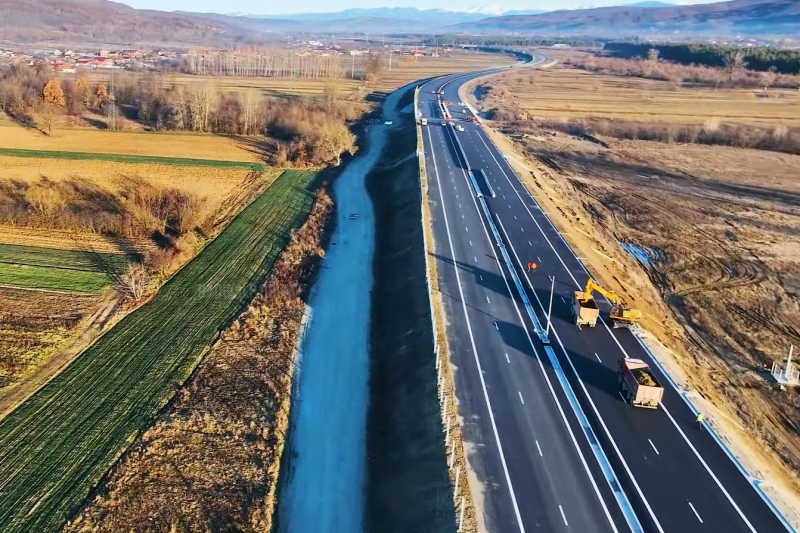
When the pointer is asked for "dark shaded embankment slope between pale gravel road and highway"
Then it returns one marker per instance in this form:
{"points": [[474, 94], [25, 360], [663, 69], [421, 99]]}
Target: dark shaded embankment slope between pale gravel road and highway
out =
{"points": [[408, 487]]}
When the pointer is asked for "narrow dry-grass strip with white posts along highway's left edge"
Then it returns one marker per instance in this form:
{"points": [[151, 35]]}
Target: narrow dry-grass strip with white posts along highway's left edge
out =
{"points": [[466, 518]]}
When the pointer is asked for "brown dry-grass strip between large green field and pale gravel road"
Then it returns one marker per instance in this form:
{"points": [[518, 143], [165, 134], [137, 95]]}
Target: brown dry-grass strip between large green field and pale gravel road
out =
{"points": [[211, 461]]}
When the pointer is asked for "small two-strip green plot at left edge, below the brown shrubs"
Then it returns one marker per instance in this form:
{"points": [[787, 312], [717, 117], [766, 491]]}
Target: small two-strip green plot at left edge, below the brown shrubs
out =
{"points": [[62, 270]]}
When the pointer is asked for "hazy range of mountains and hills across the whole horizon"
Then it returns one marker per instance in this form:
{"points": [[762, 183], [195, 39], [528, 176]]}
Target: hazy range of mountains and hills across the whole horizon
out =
{"points": [[76, 22]]}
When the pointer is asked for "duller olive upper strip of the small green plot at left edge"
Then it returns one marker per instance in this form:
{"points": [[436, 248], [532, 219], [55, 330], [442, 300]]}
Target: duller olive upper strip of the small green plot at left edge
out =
{"points": [[64, 259]]}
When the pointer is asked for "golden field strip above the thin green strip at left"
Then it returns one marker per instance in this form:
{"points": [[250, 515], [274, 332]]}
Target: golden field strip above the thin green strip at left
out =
{"points": [[185, 145]]}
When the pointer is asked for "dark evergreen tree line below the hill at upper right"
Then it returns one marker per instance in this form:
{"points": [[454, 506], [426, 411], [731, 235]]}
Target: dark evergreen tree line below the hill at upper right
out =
{"points": [[760, 58]]}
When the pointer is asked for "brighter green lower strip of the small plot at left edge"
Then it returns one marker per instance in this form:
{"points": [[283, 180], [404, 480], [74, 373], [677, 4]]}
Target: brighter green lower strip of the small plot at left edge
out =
{"points": [[33, 277]]}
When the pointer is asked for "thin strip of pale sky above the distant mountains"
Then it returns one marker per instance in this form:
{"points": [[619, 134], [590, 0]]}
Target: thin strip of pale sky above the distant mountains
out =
{"points": [[261, 7]]}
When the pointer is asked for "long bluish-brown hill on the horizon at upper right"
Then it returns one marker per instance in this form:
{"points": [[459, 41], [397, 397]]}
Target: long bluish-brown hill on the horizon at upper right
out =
{"points": [[765, 17]]}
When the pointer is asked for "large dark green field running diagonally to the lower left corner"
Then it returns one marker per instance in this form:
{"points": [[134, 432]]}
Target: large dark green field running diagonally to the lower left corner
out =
{"points": [[56, 446]]}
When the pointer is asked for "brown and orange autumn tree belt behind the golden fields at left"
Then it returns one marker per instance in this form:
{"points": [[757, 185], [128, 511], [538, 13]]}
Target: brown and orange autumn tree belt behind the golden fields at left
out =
{"points": [[300, 131]]}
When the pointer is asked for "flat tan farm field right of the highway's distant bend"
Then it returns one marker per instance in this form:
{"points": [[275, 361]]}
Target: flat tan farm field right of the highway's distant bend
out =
{"points": [[557, 94]]}
